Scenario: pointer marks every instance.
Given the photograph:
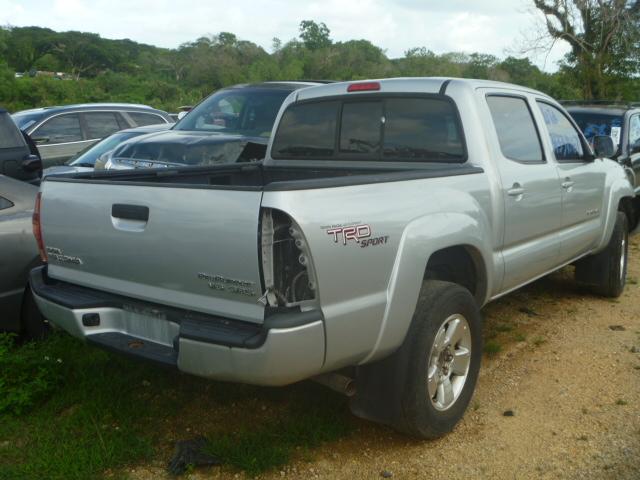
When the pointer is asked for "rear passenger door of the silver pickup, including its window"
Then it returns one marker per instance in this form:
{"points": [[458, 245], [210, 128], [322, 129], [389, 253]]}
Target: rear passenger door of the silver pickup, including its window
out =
{"points": [[529, 188]]}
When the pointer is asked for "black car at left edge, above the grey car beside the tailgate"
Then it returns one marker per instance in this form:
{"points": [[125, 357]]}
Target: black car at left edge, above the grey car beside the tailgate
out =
{"points": [[17, 158]]}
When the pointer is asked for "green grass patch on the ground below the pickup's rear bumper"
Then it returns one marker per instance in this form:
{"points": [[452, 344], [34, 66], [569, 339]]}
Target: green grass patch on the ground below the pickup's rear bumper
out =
{"points": [[76, 412]]}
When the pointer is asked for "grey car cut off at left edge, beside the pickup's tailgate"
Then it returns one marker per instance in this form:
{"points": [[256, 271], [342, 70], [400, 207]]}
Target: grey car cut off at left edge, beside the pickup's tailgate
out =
{"points": [[18, 255]]}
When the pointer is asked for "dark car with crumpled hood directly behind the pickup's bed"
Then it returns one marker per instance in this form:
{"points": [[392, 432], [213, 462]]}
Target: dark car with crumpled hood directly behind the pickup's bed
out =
{"points": [[231, 125]]}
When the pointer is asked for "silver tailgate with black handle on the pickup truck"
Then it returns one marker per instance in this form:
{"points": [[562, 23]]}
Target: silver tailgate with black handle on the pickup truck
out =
{"points": [[193, 248]]}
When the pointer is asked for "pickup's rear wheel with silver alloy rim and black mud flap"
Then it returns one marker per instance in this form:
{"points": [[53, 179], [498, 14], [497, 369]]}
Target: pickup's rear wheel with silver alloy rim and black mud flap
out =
{"points": [[424, 388]]}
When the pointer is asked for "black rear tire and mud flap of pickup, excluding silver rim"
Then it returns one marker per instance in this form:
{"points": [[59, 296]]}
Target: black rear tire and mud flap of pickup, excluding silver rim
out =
{"points": [[394, 391]]}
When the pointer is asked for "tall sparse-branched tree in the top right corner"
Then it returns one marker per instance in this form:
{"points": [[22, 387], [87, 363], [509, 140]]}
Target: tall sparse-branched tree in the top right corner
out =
{"points": [[604, 36]]}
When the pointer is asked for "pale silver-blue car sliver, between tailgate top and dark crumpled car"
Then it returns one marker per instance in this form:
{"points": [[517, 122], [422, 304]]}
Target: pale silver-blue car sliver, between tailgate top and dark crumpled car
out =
{"points": [[95, 155]]}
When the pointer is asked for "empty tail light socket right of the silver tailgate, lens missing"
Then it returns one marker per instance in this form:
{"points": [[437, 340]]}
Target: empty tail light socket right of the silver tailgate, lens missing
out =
{"points": [[287, 267]]}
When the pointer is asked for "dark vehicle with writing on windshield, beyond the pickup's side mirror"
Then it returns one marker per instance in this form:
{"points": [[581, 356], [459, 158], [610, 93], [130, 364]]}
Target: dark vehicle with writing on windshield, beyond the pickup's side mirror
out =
{"points": [[621, 122]]}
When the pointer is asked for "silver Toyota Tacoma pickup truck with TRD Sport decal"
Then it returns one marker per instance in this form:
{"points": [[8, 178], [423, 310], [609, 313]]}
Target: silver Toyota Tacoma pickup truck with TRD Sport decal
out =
{"points": [[359, 253]]}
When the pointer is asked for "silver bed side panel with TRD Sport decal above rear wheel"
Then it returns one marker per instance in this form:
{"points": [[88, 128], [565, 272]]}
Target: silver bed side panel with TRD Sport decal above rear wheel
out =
{"points": [[368, 292]]}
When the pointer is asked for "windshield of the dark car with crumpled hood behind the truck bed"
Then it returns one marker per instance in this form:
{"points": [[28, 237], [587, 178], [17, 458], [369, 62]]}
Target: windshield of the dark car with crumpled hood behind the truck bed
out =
{"points": [[237, 111]]}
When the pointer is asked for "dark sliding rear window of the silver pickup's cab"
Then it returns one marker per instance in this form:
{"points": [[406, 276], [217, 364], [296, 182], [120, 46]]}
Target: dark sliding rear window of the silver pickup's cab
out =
{"points": [[387, 128]]}
